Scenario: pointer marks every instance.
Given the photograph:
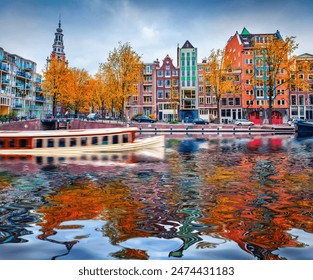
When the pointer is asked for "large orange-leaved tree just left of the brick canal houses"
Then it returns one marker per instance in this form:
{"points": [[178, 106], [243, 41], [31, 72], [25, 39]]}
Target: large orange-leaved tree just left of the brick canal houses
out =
{"points": [[123, 72]]}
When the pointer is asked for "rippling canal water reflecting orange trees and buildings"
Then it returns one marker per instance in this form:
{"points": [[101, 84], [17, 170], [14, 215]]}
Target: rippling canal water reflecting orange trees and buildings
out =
{"points": [[209, 199]]}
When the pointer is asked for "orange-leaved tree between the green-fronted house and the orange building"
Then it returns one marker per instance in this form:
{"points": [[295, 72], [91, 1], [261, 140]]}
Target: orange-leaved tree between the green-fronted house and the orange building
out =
{"points": [[218, 77]]}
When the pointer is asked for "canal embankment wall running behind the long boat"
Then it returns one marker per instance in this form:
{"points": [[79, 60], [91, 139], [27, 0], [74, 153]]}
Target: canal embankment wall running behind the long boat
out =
{"points": [[148, 129]]}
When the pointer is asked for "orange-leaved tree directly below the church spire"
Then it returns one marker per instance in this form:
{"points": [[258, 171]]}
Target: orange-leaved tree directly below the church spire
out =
{"points": [[56, 78]]}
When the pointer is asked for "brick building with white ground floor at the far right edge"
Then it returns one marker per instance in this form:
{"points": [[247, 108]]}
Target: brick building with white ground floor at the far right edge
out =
{"points": [[301, 99]]}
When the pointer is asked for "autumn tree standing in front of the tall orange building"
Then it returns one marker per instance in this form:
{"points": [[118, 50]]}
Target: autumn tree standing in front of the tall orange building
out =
{"points": [[276, 58]]}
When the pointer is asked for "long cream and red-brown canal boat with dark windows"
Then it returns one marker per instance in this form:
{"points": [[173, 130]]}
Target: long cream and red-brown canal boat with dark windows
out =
{"points": [[77, 141]]}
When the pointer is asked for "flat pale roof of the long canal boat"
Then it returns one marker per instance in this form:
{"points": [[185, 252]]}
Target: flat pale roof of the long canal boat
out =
{"points": [[65, 133]]}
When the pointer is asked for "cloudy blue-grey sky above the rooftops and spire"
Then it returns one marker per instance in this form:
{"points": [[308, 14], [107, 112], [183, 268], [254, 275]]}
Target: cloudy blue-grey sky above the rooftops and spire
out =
{"points": [[93, 28]]}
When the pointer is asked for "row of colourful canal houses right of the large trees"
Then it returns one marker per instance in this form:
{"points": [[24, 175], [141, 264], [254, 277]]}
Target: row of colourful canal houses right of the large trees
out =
{"points": [[177, 92]]}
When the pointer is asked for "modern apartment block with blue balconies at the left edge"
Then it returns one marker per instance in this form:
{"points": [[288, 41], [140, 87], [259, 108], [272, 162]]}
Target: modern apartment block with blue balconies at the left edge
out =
{"points": [[20, 86]]}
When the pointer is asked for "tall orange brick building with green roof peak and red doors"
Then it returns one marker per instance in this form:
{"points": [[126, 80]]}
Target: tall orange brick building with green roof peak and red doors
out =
{"points": [[253, 79]]}
